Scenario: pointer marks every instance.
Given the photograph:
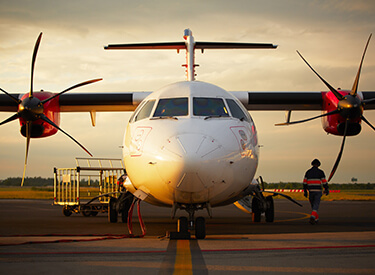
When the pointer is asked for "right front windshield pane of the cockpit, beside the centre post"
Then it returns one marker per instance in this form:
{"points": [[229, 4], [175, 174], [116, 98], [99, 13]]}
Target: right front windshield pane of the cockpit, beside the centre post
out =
{"points": [[206, 106]]}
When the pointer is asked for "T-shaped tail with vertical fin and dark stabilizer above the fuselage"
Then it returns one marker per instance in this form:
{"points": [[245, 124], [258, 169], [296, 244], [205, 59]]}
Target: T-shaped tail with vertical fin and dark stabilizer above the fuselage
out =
{"points": [[190, 46]]}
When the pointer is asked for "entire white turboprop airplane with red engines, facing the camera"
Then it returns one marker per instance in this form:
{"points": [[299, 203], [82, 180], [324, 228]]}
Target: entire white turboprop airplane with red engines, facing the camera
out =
{"points": [[191, 145]]}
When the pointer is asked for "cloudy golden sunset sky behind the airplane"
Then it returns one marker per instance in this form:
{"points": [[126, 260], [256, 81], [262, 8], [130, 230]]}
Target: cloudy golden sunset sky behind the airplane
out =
{"points": [[330, 34]]}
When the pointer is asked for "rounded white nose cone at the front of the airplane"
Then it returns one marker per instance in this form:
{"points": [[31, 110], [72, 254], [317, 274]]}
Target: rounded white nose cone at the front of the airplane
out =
{"points": [[187, 155]]}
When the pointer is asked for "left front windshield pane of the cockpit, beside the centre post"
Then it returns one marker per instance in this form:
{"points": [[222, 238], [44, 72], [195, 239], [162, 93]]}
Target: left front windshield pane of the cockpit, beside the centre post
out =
{"points": [[170, 107]]}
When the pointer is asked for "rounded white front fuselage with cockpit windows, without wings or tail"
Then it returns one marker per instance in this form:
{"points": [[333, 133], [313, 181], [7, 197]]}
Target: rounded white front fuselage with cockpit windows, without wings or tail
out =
{"points": [[182, 154]]}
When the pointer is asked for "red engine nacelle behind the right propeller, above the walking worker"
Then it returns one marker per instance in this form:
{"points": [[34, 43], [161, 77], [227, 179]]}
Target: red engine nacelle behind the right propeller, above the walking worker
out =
{"points": [[335, 124]]}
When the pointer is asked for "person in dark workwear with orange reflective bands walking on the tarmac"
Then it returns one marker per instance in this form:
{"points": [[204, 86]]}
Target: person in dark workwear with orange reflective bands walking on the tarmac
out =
{"points": [[313, 185]]}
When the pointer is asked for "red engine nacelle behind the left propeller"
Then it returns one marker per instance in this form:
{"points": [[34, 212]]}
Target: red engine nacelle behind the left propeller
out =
{"points": [[51, 109]]}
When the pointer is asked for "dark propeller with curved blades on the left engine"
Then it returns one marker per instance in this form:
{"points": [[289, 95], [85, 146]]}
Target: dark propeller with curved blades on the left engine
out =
{"points": [[31, 108]]}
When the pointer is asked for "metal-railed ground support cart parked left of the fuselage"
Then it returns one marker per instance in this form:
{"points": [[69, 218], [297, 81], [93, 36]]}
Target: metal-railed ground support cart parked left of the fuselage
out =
{"points": [[89, 187]]}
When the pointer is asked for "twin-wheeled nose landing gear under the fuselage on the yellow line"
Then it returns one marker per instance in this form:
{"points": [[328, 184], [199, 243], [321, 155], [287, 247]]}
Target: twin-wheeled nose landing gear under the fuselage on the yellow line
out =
{"points": [[185, 225]]}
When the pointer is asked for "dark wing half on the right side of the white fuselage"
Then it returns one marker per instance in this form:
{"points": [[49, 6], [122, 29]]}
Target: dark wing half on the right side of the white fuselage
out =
{"points": [[285, 101]]}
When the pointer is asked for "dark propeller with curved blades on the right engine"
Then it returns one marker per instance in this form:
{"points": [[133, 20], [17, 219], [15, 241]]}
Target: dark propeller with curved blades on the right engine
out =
{"points": [[349, 107]]}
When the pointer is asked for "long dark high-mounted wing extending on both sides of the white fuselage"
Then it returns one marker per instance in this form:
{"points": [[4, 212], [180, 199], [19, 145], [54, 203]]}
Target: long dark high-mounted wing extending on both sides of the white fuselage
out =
{"points": [[128, 101]]}
